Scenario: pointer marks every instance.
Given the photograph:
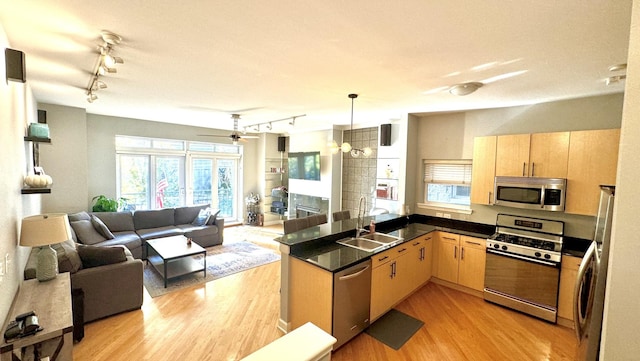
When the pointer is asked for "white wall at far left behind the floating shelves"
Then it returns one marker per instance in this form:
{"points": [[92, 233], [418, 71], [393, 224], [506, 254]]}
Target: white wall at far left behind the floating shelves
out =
{"points": [[17, 109]]}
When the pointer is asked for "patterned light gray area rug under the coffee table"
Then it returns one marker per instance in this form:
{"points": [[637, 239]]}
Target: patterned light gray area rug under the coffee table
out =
{"points": [[222, 261]]}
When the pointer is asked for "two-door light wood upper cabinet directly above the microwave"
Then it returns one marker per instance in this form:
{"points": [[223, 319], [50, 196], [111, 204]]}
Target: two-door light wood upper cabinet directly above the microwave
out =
{"points": [[532, 155]]}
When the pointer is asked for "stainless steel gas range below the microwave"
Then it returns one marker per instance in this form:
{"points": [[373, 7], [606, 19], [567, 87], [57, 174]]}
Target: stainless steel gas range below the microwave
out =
{"points": [[523, 265]]}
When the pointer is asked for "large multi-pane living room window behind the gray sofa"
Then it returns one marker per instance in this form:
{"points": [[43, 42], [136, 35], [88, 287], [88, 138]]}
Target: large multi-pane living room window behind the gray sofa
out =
{"points": [[160, 173]]}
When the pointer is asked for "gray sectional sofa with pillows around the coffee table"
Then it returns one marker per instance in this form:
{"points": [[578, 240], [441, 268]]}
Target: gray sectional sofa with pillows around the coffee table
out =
{"points": [[104, 255]]}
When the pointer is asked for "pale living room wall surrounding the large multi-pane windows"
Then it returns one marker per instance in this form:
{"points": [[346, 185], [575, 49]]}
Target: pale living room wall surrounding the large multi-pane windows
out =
{"points": [[82, 158]]}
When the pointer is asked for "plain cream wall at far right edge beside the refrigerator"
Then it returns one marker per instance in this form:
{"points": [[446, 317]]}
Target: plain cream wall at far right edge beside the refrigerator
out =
{"points": [[620, 339]]}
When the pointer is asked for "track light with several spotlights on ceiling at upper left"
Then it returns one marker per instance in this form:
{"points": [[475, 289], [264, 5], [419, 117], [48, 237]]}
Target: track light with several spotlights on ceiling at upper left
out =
{"points": [[105, 64]]}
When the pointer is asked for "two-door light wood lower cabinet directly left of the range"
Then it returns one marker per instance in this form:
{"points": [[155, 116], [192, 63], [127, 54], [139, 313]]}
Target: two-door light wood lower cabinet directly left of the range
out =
{"points": [[460, 260]]}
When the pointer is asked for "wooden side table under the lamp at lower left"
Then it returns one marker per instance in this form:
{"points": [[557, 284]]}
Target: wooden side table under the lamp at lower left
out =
{"points": [[51, 301]]}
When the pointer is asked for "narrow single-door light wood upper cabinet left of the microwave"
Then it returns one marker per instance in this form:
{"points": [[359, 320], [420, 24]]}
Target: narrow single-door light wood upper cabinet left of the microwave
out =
{"points": [[483, 169]]}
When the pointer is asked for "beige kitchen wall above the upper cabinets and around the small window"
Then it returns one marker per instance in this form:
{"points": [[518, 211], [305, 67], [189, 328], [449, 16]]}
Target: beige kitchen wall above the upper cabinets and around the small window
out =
{"points": [[450, 136]]}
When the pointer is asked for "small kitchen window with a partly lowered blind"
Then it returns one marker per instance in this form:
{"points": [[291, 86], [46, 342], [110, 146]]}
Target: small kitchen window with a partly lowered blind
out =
{"points": [[447, 183]]}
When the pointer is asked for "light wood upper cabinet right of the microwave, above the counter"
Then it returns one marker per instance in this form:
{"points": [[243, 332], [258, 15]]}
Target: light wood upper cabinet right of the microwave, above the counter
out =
{"points": [[593, 160]]}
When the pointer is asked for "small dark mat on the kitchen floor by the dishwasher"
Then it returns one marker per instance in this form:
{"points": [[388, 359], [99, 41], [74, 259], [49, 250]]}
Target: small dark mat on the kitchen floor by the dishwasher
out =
{"points": [[394, 328]]}
